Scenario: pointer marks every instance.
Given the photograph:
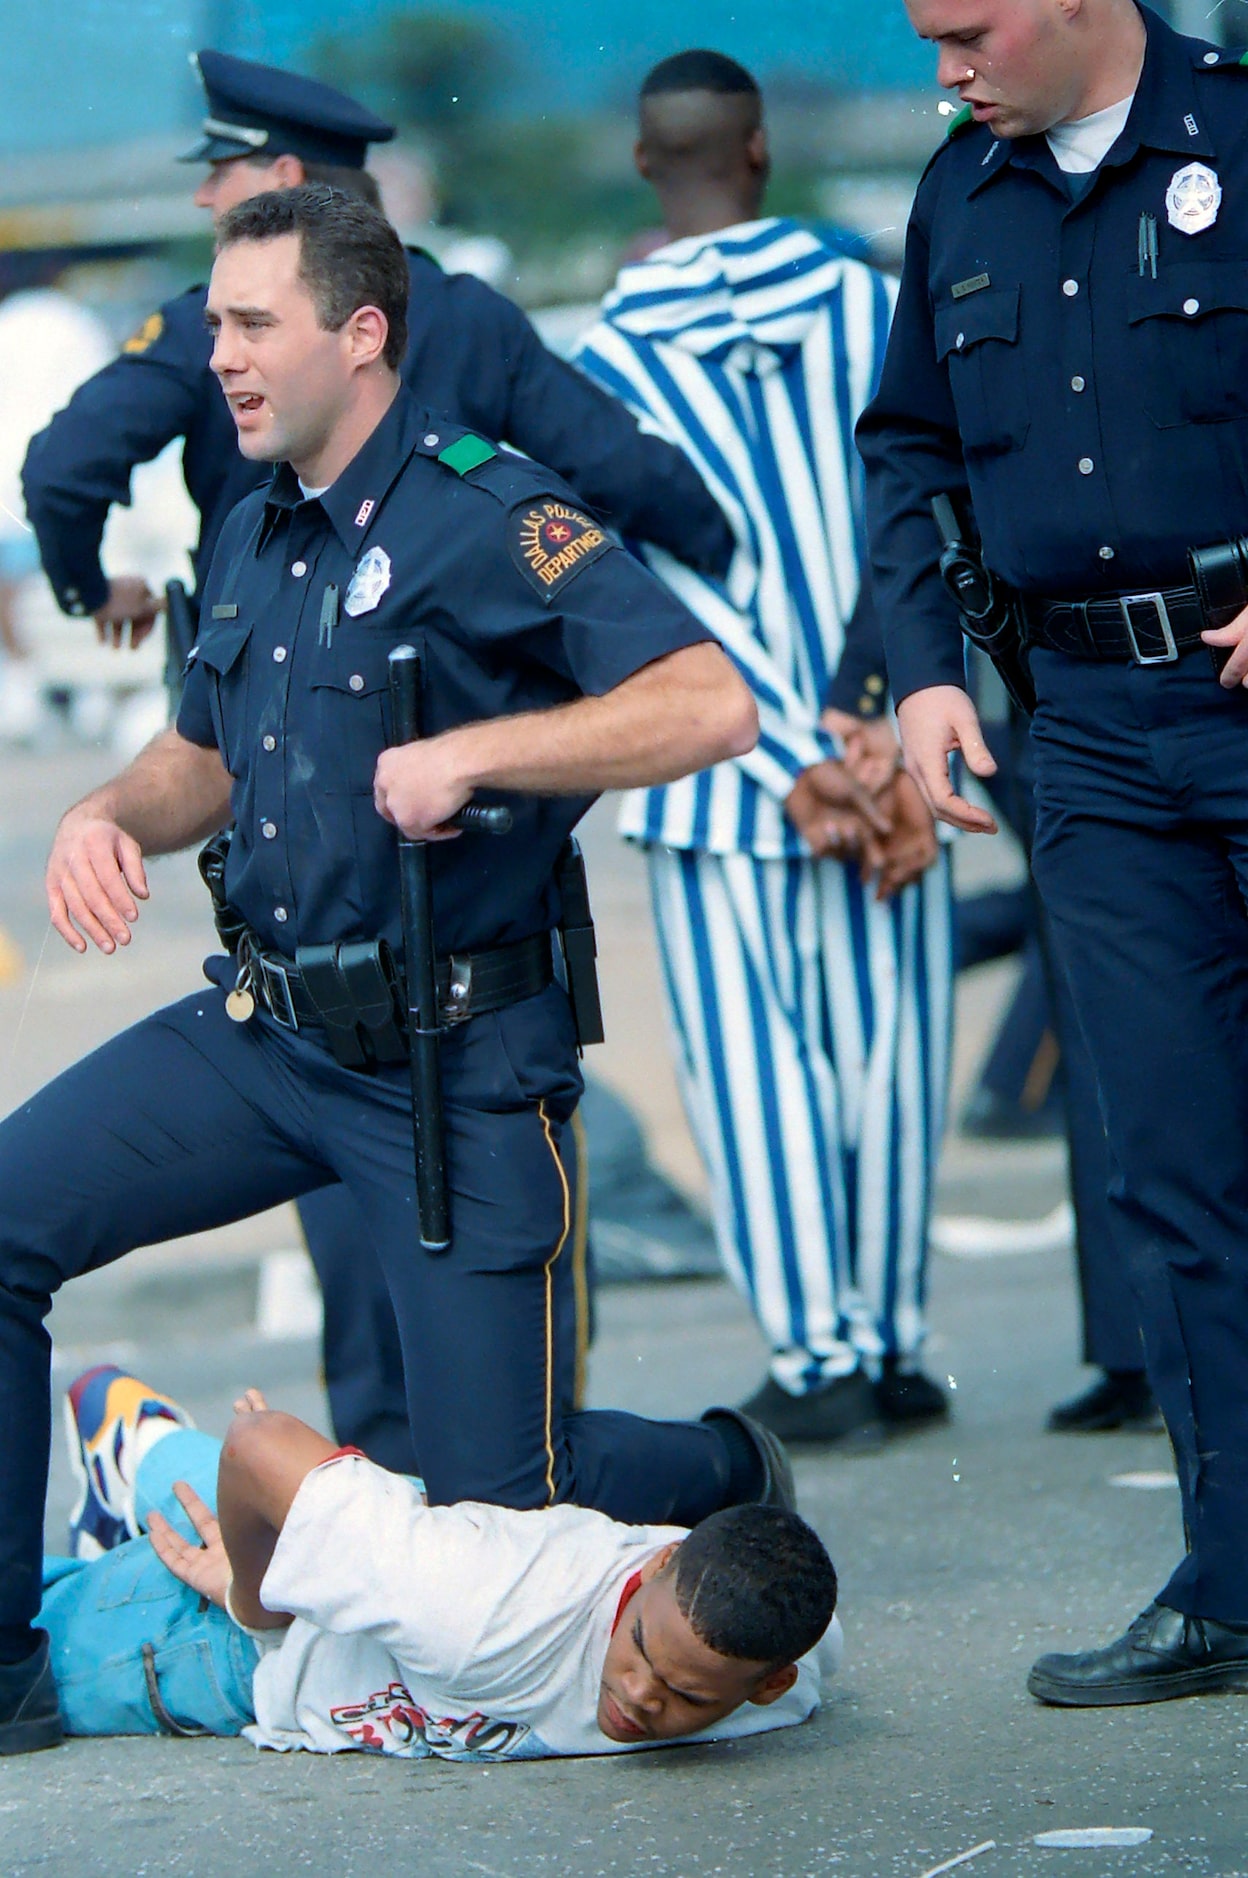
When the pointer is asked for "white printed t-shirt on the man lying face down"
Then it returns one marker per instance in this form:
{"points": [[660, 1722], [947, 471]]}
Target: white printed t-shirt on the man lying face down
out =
{"points": [[455, 1631]]}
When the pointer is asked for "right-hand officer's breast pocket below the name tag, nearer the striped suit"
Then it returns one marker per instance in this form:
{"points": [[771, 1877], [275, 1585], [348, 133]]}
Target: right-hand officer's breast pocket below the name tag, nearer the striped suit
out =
{"points": [[979, 345]]}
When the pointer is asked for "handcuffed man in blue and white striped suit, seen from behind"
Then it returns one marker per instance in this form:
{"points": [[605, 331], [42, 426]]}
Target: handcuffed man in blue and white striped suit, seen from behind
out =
{"points": [[806, 953]]}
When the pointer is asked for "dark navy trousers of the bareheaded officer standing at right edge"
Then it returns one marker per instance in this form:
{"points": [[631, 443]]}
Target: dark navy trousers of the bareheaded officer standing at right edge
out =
{"points": [[1142, 854]]}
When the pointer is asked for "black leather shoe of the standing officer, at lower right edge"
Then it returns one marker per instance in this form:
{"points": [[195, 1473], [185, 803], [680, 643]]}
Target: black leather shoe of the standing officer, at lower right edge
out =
{"points": [[1163, 1655]]}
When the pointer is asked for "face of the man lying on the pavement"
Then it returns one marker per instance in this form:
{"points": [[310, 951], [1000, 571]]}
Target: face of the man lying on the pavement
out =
{"points": [[662, 1682]]}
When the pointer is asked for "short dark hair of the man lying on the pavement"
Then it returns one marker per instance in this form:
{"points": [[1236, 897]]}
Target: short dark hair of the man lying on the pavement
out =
{"points": [[757, 1584]]}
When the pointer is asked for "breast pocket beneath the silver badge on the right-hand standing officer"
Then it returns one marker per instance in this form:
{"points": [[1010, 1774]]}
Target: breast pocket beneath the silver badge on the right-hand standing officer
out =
{"points": [[1193, 331]]}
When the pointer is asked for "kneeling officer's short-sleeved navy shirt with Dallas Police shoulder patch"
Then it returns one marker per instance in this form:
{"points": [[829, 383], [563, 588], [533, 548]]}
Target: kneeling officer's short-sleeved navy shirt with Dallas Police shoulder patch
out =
{"points": [[519, 602]]}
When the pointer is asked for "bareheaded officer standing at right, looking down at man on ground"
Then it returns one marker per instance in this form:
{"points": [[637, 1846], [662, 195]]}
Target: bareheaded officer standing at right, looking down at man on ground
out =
{"points": [[1071, 352]]}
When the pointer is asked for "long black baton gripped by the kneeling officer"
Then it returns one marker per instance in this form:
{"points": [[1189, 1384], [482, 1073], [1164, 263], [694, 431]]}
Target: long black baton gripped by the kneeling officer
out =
{"points": [[418, 910]]}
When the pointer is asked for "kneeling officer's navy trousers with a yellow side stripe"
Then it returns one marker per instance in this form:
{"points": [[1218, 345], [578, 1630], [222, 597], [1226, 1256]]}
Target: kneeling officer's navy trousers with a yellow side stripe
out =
{"points": [[187, 1122]]}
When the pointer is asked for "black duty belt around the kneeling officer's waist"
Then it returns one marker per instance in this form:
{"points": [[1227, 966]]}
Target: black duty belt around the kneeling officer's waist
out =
{"points": [[468, 983]]}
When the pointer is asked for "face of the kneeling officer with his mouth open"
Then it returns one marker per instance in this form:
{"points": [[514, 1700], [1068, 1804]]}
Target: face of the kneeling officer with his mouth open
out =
{"points": [[286, 378]]}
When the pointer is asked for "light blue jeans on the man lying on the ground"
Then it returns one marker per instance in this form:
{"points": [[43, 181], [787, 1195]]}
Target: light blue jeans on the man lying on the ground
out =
{"points": [[132, 1650]]}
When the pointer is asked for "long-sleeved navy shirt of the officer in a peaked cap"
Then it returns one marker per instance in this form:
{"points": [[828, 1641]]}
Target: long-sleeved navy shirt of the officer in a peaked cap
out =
{"points": [[472, 356]]}
